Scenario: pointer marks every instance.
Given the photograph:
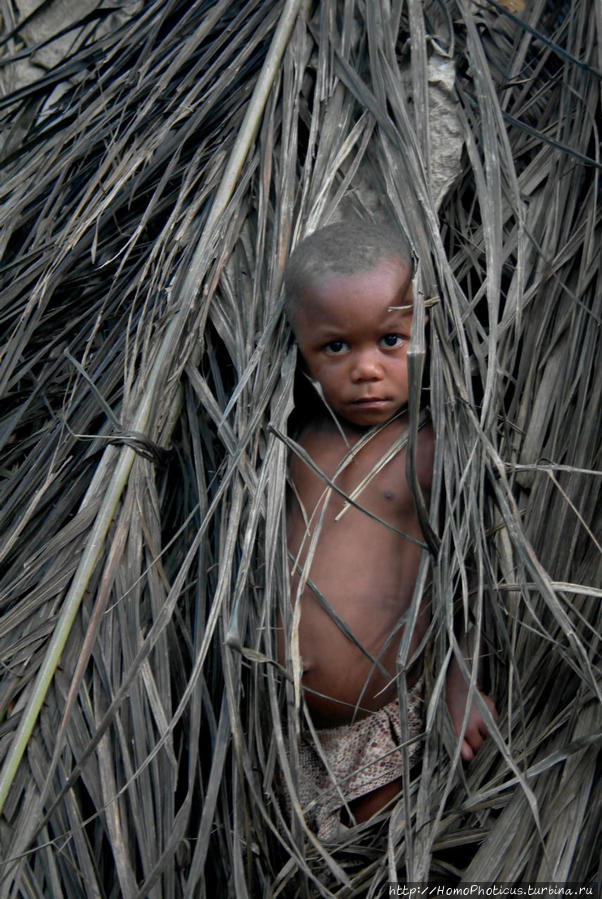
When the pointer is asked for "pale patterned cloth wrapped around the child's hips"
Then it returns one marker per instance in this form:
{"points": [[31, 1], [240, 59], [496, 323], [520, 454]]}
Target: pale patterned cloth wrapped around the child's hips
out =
{"points": [[361, 757]]}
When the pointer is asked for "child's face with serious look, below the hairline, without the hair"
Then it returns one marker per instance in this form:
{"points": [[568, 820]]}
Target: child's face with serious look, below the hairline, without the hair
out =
{"points": [[355, 344]]}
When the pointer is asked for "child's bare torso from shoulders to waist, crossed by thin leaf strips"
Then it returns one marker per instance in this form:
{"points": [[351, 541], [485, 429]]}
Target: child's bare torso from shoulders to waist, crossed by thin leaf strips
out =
{"points": [[362, 568]]}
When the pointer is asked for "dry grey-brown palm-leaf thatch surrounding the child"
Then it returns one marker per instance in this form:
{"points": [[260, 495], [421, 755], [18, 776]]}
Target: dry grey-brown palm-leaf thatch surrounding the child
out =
{"points": [[153, 182]]}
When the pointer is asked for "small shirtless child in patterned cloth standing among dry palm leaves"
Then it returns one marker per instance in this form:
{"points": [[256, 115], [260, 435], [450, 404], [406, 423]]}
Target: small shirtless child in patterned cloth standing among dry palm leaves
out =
{"points": [[349, 303]]}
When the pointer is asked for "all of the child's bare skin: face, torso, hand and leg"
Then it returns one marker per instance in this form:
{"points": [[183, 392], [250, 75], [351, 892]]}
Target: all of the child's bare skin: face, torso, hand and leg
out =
{"points": [[353, 333]]}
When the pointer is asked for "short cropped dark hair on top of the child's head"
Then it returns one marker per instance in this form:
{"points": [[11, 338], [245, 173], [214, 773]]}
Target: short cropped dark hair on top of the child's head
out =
{"points": [[343, 248]]}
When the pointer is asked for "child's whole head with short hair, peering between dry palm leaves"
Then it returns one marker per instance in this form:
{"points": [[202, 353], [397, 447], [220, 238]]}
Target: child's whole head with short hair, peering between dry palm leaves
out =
{"points": [[349, 302]]}
